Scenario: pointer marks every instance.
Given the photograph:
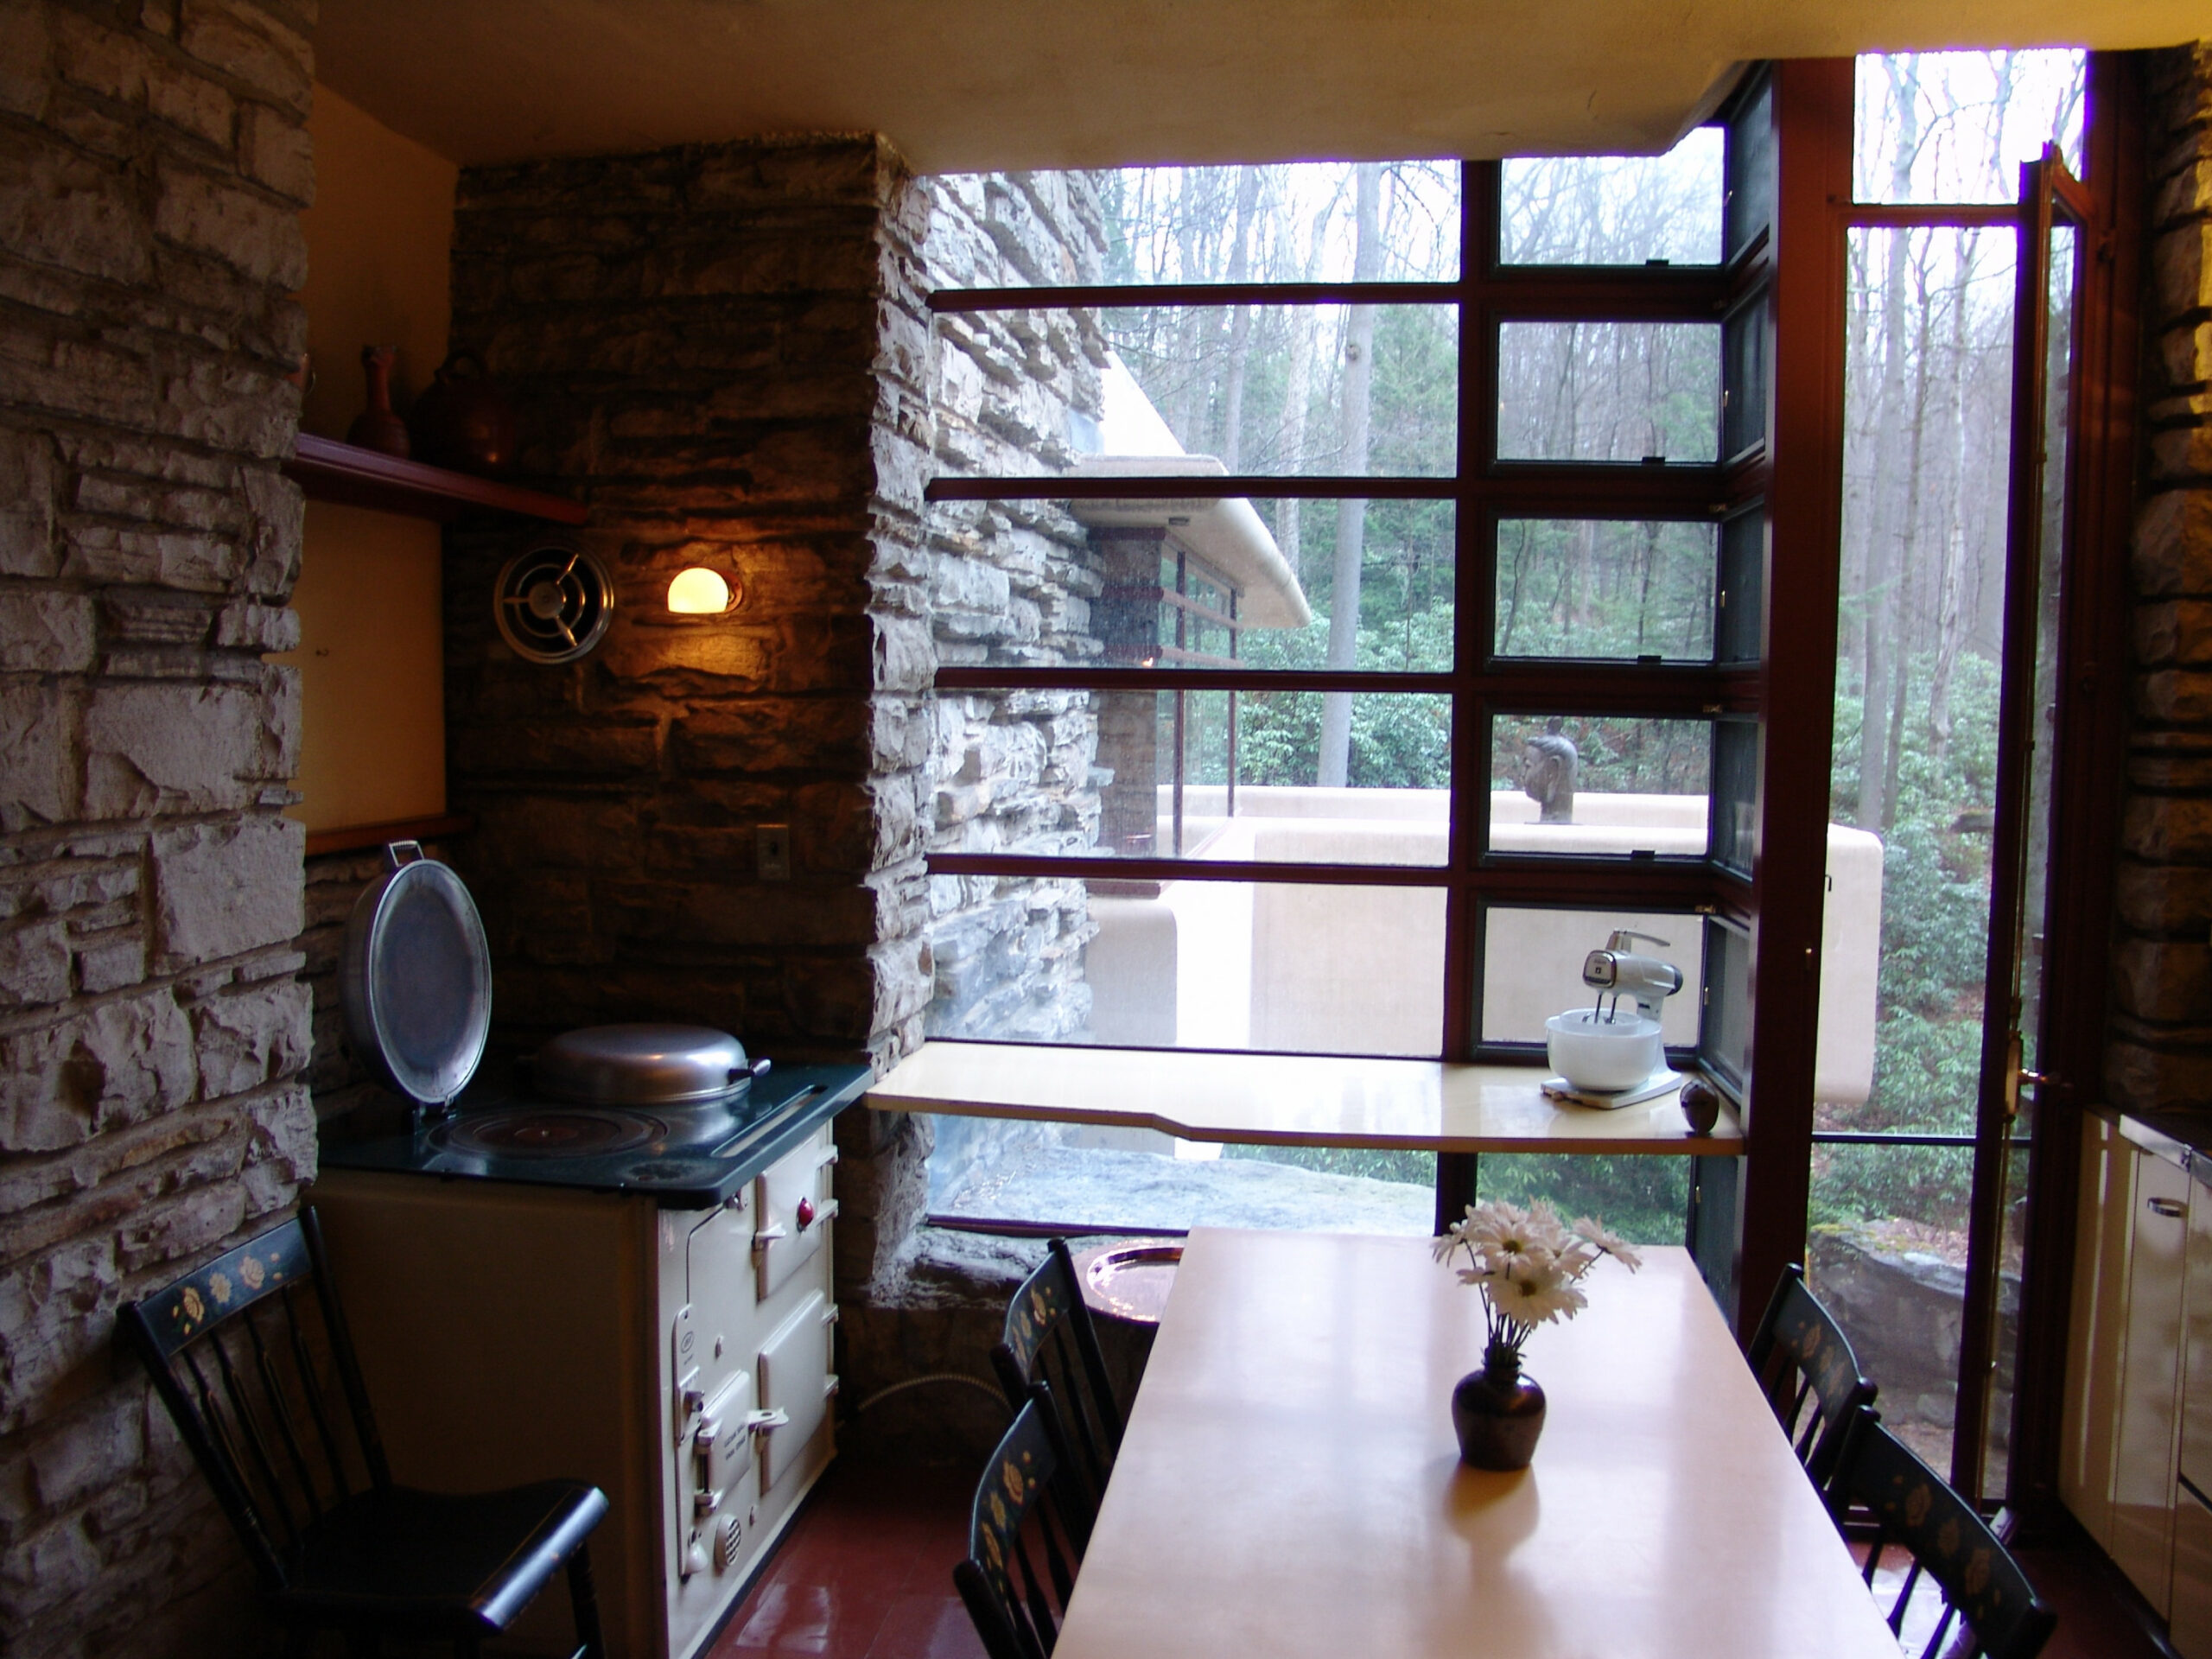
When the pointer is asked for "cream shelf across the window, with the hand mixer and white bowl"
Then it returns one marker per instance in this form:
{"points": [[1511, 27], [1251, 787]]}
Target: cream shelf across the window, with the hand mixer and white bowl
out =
{"points": [[1286, 1100]]}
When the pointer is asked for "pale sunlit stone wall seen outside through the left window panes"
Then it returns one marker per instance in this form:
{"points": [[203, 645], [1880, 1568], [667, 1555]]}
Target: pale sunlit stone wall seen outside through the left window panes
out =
{"points": [[1012, 585]]}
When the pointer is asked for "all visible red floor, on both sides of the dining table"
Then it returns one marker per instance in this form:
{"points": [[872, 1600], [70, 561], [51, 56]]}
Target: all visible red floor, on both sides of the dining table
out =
{"points": [[868, 1574]]}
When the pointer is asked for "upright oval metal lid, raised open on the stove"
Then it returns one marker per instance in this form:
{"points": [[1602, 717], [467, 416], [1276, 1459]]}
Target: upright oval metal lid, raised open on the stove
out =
{"points": [[417, 979]]}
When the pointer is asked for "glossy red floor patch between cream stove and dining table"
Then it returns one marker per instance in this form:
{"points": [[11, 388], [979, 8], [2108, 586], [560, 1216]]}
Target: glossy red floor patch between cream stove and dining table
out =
{"points": [[866, 1572]]}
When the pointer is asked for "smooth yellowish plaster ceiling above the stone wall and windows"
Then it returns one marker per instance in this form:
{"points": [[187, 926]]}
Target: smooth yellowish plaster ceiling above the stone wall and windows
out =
{"points": [[963, 85]]}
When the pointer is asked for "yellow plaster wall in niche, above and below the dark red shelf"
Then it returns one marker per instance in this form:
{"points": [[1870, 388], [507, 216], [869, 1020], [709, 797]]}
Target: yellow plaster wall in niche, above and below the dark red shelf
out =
{"points": [[371, 658]]}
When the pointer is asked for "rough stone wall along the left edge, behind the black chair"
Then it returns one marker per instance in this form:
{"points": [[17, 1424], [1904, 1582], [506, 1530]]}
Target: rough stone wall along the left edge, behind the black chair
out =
{"points": [[152, 1025]]}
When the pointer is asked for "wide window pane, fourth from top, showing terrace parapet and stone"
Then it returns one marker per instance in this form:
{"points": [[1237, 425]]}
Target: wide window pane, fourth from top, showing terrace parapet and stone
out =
{"points": [[1162, 773]]}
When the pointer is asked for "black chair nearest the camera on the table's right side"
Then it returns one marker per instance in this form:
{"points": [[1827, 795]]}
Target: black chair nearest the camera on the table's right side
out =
{"points": [[1950, 1545]]}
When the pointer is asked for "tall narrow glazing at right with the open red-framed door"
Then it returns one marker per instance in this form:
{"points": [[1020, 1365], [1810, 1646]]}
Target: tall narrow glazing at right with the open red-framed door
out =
{"points": [[1919, 680]]}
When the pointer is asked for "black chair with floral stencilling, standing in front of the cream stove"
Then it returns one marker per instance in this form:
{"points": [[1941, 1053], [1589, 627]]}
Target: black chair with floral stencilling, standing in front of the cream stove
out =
{"points": [[255, 1366]]}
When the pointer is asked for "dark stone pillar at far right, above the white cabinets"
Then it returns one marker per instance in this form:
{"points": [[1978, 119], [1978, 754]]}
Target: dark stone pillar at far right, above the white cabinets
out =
{"points": [[2162, 997]]}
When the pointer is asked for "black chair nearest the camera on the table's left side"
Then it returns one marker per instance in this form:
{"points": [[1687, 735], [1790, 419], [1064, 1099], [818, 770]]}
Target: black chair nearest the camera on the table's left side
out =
{"points": [[1021, 1516]]}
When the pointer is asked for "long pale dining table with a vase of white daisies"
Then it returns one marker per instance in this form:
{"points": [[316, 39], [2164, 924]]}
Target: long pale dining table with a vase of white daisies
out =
{"points": [[1291, 1485]]}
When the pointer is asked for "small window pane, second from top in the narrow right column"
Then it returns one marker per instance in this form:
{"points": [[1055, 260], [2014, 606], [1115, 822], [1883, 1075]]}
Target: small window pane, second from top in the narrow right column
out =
{"points": [[1609, 390]]}
